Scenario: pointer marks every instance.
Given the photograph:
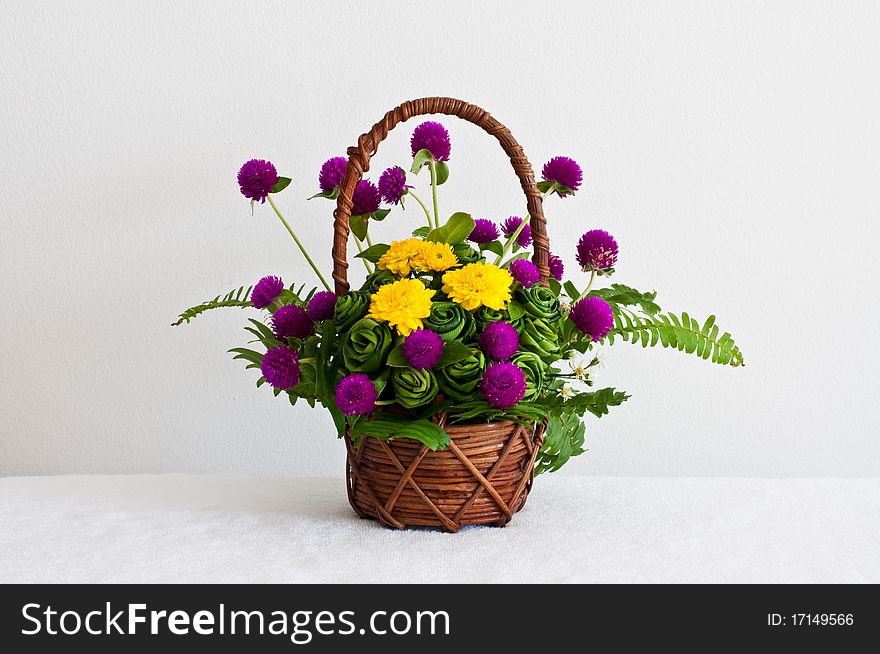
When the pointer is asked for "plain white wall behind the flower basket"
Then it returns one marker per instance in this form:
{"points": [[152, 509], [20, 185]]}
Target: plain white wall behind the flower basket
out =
{"points": [[732, 148]]}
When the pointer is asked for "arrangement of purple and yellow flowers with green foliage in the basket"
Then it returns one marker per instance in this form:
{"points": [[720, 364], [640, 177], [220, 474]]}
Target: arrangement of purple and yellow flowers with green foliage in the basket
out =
{"points": [[453, 319]]}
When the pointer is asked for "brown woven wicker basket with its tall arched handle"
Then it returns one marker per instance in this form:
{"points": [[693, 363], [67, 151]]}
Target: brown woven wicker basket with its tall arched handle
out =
{"points": [[485, 474]]}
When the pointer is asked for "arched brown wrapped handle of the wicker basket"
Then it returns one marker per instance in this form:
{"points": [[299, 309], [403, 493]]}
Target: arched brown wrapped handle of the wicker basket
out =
{"points": [[359, 163]]}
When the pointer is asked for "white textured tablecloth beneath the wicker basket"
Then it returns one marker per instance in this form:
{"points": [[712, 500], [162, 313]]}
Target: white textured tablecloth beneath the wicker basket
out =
{"points": [[226, 528]]}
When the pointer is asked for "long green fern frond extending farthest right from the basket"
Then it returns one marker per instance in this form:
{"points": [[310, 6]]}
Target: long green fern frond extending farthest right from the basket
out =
{"points": [[682, 333]]}
